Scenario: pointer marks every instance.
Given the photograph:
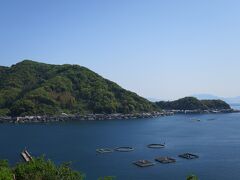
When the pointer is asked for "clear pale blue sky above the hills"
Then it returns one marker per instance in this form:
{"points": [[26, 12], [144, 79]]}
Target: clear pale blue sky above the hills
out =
{"points": [[158, 48]]}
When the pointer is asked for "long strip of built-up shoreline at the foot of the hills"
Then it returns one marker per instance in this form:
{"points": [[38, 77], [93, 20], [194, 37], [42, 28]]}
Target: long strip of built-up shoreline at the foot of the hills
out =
{"points": [[116, 116]]}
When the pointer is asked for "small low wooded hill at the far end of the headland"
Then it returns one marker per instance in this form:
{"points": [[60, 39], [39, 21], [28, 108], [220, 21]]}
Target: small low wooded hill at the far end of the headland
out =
{"points": [[191, 103]]}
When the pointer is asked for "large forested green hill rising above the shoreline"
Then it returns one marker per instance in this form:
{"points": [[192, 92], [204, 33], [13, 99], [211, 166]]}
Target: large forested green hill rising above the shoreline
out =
{"points": [[33, 88]]}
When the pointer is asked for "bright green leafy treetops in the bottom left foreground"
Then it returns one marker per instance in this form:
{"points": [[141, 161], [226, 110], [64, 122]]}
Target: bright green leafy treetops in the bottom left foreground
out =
{"points": [[38, 169]]}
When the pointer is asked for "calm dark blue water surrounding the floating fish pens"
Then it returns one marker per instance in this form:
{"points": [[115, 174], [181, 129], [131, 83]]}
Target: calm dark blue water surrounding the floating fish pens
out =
{"points": [[216, 139]]}
